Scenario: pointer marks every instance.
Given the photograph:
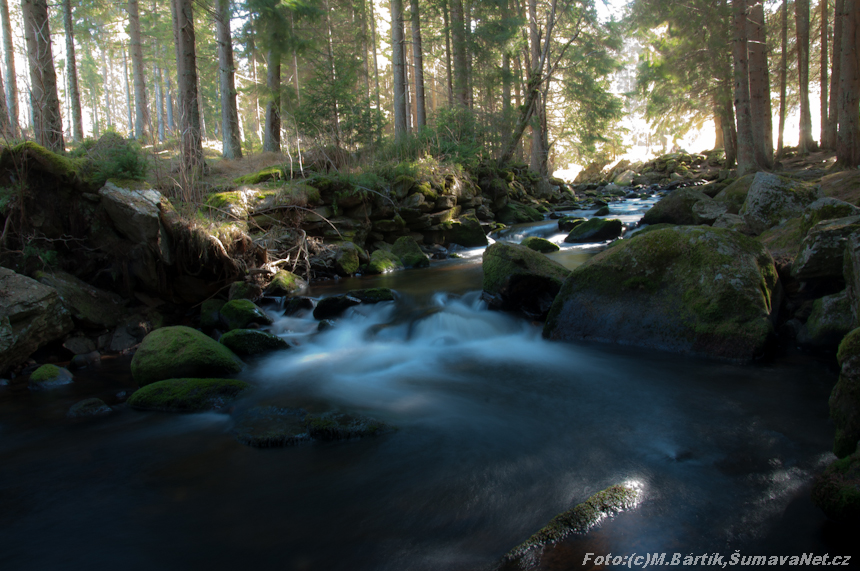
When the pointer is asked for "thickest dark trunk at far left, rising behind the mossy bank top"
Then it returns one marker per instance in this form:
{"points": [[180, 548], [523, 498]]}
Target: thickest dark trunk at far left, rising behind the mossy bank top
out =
{"points": [[47, 121]]}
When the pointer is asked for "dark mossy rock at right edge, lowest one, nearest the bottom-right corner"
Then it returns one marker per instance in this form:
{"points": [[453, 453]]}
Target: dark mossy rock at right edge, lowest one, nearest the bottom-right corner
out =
{"points": [[837, 490]]}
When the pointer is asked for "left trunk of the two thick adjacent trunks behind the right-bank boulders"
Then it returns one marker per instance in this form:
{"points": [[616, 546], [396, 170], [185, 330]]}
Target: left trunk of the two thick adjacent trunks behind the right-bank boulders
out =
{"points": [[747, 162]]}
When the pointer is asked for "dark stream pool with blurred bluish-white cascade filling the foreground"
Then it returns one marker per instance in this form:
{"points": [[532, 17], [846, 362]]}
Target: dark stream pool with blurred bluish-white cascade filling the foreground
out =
{"points": [[498, 431]]}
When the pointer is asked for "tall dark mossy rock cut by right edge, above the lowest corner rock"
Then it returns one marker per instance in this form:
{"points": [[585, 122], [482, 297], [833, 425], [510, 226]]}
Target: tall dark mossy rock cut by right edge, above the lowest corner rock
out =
{"points": [[845, 397]]}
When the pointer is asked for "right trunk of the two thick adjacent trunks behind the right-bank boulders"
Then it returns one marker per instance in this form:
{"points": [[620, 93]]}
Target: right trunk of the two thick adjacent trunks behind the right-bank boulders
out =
{"points": [[762, 125]]}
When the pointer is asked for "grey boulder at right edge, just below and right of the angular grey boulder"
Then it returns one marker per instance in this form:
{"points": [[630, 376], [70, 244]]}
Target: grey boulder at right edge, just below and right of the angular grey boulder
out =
{"points": [[821, 253]]}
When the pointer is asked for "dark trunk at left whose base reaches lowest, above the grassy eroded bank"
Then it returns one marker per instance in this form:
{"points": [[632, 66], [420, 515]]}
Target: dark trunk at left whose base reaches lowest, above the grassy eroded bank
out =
{"points": [[186, 64]]}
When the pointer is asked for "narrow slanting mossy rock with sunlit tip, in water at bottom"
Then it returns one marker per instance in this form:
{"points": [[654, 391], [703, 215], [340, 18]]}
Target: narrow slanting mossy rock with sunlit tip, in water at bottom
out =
{"points": [[581, 518]]}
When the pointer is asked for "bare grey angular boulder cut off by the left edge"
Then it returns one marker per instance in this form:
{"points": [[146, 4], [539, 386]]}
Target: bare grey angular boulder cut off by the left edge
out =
{"points": [[31, 315]]}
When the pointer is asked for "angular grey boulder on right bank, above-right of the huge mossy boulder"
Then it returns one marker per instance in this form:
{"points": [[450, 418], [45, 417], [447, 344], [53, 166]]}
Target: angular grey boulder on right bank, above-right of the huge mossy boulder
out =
{"points": [[773, 199]]}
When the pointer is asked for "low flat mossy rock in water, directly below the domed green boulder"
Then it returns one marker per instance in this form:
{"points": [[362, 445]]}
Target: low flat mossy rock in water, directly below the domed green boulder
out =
{"points": [[188, 395]]}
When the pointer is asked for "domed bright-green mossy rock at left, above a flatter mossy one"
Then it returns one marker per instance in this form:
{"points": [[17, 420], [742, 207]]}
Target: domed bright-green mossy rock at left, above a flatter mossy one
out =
{"points": [[179, 351]]}
